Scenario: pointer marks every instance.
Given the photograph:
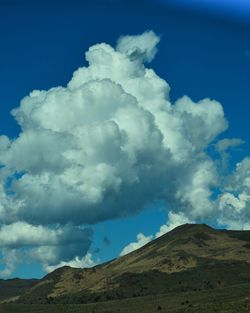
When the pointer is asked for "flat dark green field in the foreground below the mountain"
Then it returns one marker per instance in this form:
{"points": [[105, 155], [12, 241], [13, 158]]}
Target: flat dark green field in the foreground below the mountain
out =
{"points": [[233, 299]]}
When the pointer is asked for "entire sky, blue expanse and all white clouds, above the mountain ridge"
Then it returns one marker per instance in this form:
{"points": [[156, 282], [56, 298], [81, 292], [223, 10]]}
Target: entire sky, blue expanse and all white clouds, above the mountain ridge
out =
{"points": [[119, 120]]}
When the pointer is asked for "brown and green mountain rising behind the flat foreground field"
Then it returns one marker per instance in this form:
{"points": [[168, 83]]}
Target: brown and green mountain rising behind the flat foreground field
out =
{"points": [[192, 258]]}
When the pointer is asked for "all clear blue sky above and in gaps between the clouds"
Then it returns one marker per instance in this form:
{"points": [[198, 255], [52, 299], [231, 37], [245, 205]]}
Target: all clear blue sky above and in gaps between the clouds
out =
{"points": [[203, 53]]}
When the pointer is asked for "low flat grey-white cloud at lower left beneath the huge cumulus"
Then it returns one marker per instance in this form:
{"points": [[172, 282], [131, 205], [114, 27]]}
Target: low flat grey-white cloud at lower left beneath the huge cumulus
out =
{"points": [[47, 245]]}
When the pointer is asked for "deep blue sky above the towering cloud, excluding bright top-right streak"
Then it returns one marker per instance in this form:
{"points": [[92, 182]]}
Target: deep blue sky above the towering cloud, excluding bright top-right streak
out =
{"points": [[201, 55]]}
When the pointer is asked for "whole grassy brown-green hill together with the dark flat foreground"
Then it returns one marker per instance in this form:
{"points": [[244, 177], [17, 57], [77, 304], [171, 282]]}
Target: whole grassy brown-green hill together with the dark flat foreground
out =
{"points": [[193, 268]]}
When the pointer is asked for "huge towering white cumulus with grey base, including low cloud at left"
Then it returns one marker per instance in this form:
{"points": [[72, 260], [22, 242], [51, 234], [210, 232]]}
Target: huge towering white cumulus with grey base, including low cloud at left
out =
{"points": [[104, 147]]}
